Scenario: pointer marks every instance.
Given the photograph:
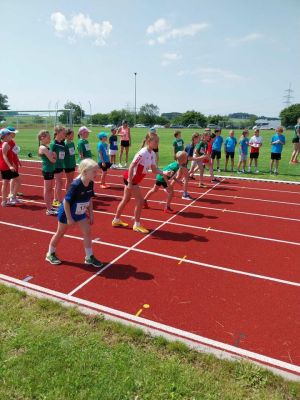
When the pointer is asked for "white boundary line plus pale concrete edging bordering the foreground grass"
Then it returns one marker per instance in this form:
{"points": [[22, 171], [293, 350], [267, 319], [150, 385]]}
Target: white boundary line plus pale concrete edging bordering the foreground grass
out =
{"points": [[202, 343]]}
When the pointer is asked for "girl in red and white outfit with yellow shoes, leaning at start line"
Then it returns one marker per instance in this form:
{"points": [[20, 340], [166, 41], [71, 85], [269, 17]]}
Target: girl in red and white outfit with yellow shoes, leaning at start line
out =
{"points": [[144, 160]]}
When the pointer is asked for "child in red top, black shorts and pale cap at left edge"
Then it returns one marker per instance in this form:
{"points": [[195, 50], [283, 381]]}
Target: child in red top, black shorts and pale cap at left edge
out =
{"points": [[7, 167]]}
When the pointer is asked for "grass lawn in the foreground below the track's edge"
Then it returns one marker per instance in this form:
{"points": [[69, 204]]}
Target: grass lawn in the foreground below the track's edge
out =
{"points": [[55, 353]]}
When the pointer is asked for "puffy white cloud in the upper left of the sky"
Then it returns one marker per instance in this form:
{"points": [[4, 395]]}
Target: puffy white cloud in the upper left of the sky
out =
{"points": [[80, 26]]}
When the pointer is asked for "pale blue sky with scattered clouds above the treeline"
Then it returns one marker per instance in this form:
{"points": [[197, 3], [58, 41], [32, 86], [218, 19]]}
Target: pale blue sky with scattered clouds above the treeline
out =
{"points": [[211, 56]]}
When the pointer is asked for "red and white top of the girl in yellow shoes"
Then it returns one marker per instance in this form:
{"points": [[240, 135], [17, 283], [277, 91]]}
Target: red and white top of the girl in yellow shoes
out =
{"points": [[141, 163]]}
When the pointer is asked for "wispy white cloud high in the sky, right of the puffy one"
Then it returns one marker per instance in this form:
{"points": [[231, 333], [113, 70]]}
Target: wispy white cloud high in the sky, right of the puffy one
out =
{"points": [[174, 33]]}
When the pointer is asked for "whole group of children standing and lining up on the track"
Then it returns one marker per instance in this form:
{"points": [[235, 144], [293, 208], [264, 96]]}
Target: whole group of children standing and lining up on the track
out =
{"points": [[58, 157]]}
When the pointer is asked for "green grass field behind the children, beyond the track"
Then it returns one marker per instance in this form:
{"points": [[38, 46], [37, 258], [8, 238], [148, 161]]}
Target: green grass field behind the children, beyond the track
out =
{"points": [[27, 140]]}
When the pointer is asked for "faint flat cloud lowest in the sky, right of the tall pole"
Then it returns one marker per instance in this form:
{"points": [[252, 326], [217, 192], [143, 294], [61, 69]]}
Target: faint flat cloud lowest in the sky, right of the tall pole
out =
{"points": [[210, 75]]}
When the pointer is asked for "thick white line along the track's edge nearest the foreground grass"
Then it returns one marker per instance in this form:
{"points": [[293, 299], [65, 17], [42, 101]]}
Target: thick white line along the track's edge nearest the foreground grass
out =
{"points": [[146, 323]]}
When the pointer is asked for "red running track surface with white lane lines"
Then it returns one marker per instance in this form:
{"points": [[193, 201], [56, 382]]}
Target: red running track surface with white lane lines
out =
{"points": [[223, 272]]}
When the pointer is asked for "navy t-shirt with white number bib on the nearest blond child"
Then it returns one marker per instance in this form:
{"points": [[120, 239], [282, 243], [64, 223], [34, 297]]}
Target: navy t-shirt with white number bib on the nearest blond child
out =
{"points": [[78, 196]]}
